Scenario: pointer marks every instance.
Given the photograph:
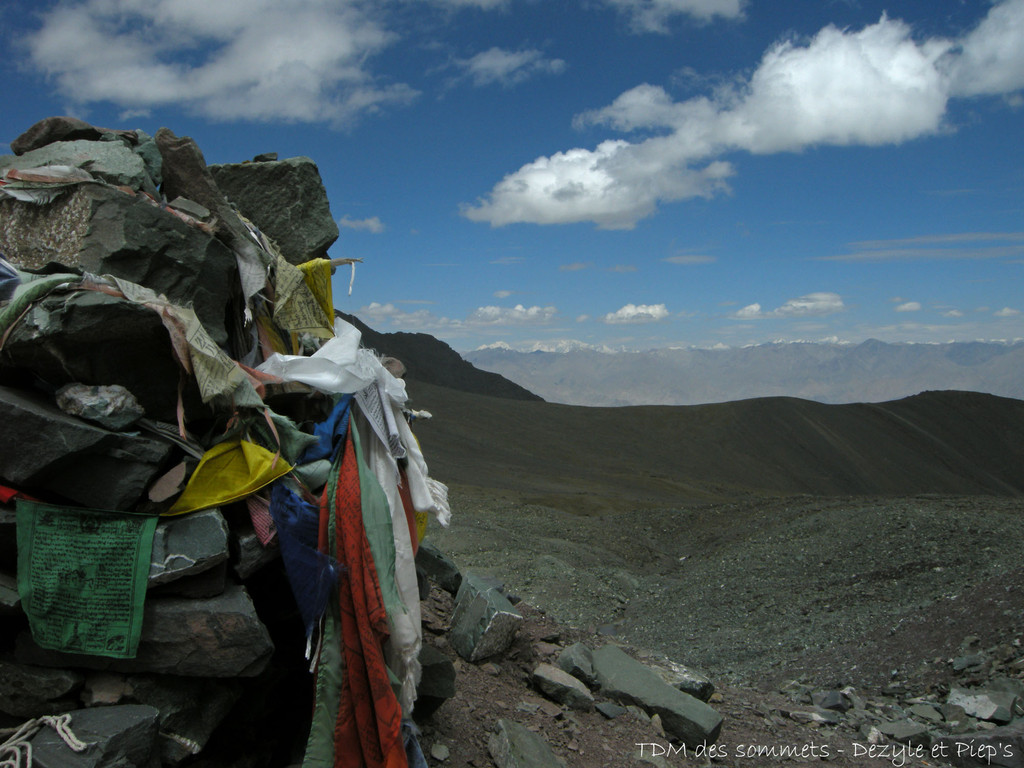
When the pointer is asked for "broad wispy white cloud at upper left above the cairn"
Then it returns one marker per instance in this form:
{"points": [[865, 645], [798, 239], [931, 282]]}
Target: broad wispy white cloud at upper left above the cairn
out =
{"points": [[298, 62]]}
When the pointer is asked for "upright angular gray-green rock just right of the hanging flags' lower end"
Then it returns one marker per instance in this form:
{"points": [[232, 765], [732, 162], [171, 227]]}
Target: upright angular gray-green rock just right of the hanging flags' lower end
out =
{"points": [[484, 623]]}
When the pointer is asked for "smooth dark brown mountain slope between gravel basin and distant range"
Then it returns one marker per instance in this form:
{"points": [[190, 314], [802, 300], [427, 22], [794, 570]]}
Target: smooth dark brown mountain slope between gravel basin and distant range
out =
{"points": [[567, 456]]}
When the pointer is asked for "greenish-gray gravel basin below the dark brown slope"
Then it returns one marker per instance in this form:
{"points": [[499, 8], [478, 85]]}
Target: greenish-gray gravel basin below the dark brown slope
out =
{"points": [[751, 590]]}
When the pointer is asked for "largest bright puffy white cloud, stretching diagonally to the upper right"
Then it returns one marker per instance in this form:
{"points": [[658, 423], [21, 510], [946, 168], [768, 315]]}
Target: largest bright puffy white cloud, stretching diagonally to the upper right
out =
{"points": [[873, 87]]}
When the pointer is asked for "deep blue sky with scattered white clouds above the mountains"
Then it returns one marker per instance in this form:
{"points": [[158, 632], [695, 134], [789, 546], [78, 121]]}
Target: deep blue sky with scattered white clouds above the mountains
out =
{"points": [[629, 174]]}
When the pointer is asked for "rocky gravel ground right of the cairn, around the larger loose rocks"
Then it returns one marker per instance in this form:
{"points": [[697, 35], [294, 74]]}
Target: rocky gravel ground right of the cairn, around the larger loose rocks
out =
{"points": [[894, 600]]}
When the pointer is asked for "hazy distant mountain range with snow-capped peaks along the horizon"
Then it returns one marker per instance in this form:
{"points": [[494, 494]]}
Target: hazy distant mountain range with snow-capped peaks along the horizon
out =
{"points": [[870, 372]]}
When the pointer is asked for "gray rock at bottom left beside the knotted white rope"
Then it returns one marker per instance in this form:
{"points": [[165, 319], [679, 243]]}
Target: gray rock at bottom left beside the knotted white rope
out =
{"points": [[118, 738]]}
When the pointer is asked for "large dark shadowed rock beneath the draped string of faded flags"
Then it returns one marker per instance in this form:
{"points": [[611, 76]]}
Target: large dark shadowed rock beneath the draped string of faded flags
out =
{"points": [[51, 339]]}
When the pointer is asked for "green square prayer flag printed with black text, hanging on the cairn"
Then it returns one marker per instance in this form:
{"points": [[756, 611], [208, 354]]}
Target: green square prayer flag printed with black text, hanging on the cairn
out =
{"points": [[82, 577]]}
